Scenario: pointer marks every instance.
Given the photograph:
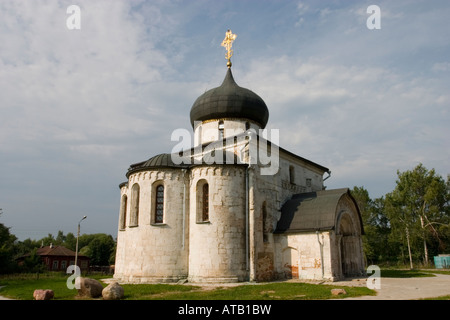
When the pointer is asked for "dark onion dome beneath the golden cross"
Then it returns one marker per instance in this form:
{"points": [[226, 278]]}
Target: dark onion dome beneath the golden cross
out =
{"points": [[230, 101]]}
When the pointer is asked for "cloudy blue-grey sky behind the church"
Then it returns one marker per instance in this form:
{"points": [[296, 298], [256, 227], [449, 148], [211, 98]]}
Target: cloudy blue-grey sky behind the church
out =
{"points": [[78, 106]]}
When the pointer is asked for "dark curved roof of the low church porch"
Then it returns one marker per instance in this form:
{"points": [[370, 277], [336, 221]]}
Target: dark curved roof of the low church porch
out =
{"points": [[312, 211]]}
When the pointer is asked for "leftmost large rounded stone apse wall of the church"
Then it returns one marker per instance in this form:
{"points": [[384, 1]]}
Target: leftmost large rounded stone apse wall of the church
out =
{"points": [[148, 251]]}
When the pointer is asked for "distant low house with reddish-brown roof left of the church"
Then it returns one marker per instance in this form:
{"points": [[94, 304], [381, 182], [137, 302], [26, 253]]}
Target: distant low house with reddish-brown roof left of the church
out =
{"points": [[58, 258]]}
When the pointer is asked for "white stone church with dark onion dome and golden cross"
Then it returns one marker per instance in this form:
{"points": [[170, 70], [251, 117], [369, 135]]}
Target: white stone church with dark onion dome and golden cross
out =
{"points": [[218, 216]]}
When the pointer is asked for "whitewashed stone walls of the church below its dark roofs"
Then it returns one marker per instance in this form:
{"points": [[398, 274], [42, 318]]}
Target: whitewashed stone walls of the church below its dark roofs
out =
{"points": [[236, 242]]}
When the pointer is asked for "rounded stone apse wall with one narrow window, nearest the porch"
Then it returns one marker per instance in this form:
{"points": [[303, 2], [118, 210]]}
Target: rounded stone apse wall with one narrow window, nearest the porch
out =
{"points": [[217, 246]]}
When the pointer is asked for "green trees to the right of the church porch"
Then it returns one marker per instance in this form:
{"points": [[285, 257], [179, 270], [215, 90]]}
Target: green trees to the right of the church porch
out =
{"points": [[409, 225]]}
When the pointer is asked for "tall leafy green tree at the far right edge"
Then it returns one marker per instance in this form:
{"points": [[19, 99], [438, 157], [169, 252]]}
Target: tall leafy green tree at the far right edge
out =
{"points": [[418, 211]]}
